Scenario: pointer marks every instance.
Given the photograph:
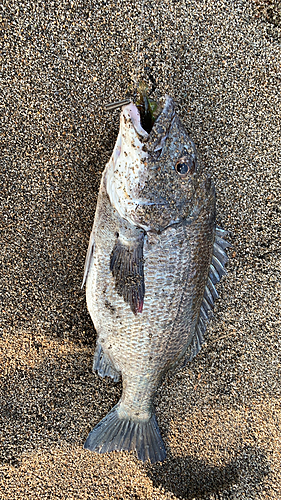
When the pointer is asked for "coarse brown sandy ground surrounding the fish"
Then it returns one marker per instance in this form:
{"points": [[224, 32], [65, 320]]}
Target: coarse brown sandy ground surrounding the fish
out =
{"points": [[220, 416]]}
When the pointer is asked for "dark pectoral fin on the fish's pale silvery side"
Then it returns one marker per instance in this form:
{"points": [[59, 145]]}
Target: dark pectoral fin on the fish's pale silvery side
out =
{"points": [[127, 267]]}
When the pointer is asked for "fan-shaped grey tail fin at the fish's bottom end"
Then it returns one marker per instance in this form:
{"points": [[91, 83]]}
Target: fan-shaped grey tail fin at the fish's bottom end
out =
{"points": [[115, 433]]}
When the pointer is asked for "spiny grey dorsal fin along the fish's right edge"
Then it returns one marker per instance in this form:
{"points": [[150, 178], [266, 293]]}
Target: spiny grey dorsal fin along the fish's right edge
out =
{"points": [[216, 271]]}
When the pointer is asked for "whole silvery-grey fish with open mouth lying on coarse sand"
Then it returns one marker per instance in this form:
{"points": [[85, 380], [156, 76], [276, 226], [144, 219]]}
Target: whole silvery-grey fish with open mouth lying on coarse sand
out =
{"points": [[154, 257]]}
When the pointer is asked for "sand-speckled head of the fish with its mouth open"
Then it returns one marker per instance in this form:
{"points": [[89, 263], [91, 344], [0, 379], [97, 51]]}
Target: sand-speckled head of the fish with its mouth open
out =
{"points": [[153, 179]]}
